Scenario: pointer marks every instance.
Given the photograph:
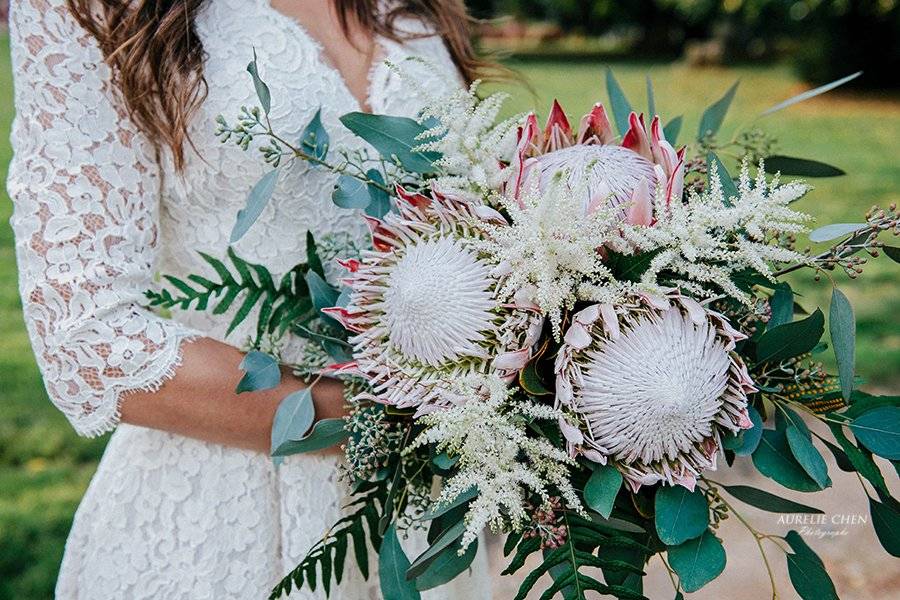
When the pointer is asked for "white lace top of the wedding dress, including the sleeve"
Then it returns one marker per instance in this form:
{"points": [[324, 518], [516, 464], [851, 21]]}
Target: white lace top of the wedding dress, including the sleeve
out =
{"points": [[98, 213]]}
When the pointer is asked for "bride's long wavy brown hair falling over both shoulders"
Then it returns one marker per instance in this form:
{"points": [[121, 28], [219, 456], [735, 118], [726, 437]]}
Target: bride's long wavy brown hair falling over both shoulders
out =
{"points": [[157, 57]]}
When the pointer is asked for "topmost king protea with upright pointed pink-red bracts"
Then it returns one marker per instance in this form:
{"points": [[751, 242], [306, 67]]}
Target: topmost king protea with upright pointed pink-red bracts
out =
{"points": [[626, 174]]}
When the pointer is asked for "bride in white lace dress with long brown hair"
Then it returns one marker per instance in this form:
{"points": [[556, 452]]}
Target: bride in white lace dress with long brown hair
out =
{"points": [[117, 174]]}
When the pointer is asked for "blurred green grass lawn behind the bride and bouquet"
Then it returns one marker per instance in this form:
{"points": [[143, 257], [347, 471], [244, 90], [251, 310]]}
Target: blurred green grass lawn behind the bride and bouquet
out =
{"points": [[44, 467]]}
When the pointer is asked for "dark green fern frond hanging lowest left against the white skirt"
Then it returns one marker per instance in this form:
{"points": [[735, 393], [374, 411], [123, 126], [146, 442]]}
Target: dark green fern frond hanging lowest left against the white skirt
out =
{"points": [[327, 557]]}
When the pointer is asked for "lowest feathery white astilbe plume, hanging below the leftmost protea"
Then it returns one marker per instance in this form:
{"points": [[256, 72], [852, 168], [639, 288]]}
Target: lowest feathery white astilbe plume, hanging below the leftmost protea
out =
{"points": [[487, 430]]}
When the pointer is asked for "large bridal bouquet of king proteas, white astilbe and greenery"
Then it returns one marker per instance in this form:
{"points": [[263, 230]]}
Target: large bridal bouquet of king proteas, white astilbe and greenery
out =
{"points": [[560, 333]]}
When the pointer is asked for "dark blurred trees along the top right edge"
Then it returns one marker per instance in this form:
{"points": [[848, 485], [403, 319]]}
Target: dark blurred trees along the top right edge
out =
{"points": [[823, 39]]}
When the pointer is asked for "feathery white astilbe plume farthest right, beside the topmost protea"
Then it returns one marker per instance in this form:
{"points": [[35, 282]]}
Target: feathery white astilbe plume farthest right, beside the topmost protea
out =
{"points": [[705, 241]]}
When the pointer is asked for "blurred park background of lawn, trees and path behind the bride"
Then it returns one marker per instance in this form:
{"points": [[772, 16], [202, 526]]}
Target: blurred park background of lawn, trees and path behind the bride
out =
{"points": [[776, 47]]}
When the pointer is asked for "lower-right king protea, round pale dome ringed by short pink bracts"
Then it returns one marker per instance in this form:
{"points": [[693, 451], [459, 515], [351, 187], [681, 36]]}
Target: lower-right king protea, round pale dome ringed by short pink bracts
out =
{"points": [[652, 383]]}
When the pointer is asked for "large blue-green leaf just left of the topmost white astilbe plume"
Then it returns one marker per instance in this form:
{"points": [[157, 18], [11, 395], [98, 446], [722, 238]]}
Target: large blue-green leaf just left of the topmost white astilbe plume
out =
{"points": [[393, 136]]}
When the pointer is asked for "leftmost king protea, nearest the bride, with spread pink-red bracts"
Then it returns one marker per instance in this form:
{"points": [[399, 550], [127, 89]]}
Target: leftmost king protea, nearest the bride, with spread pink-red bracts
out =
{"points": [[424, 308]]}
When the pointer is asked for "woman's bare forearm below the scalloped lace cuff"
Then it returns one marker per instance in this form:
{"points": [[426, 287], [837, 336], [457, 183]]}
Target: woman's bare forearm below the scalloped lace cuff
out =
{"points": [[200, 400]]}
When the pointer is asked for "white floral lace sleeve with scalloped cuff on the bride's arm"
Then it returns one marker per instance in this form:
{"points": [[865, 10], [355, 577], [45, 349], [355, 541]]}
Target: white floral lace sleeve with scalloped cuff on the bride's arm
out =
{"points": [[85, 188]]}
